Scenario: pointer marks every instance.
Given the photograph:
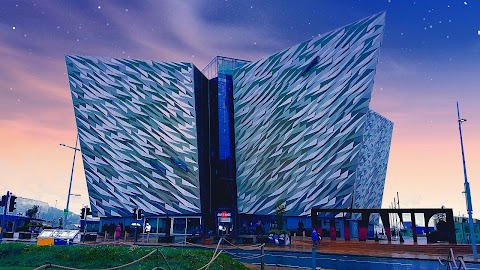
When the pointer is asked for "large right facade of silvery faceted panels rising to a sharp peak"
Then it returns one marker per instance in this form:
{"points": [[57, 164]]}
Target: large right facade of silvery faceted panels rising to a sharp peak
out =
{"points": [[299, 120]]}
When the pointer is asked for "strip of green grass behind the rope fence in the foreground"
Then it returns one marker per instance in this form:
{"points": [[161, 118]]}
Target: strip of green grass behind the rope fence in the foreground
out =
{"points": [[104, 256]]}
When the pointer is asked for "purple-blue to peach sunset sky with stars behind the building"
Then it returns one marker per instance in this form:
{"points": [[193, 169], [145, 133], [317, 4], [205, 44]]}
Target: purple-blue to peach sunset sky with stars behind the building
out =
{"points": [[430, 59]]}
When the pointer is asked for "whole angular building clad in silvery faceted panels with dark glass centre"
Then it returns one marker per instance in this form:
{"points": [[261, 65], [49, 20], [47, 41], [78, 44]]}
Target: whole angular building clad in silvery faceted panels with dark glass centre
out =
{"points": [[217, 150]]}
